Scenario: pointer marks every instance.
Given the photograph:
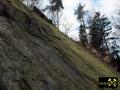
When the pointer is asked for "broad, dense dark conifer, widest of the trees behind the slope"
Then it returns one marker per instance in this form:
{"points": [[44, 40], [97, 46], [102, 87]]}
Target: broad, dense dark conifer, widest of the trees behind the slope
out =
{"points": [[100, 29]]}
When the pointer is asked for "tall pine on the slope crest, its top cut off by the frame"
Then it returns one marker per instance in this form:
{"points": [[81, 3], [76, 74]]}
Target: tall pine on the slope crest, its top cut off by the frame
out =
{"points": [[55, 8]]}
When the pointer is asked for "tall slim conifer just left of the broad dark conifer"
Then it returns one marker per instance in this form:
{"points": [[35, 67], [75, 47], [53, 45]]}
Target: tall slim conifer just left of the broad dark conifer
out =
{"points": [[82, 28]]}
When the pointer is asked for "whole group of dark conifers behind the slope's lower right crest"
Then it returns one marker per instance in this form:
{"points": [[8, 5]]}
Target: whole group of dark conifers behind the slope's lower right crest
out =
{"points": [[98, 38]]}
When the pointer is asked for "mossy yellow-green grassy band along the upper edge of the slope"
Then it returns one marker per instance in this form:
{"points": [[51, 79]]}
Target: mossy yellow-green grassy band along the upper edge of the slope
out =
{"points": [[87, 66]]}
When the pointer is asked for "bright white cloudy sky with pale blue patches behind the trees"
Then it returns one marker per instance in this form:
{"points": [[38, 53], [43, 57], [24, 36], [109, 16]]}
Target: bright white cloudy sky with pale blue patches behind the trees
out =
{"points": [[107, 7]]}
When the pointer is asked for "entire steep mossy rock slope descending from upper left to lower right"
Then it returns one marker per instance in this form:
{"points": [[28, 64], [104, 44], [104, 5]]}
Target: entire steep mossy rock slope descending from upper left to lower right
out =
{"points": [[34, 55]]}
